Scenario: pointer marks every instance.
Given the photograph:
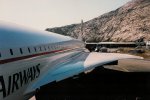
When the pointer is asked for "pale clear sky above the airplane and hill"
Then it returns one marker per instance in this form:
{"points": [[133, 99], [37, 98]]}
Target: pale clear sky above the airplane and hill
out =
{"points": [[42, 14]]}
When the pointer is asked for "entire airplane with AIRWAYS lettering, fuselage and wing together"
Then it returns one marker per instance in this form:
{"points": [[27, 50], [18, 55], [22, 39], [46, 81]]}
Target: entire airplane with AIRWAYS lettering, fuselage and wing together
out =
{"points": [[30, 59]]}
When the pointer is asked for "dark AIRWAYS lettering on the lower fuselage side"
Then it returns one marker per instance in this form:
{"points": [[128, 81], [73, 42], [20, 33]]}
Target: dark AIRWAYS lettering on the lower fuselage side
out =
{"points": [[17, 80]]}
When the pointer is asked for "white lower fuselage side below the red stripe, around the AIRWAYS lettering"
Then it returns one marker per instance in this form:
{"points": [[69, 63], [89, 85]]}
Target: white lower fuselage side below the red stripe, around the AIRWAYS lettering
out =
{"points": [[46, 63]]}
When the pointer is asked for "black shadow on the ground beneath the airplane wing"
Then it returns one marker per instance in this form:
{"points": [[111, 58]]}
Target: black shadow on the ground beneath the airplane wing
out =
{"points": [[100, 84]]}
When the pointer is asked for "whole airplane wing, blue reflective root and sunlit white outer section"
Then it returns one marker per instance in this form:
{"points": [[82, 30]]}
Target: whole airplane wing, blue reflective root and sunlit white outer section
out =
{"points": [[77, 64]]}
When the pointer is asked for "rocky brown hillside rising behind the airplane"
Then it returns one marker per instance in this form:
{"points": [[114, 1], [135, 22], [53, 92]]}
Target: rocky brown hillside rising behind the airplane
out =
{"points": [[127, 23]]}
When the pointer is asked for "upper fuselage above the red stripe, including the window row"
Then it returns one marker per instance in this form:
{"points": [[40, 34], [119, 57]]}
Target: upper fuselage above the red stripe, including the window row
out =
{"points": [[16, 38]]}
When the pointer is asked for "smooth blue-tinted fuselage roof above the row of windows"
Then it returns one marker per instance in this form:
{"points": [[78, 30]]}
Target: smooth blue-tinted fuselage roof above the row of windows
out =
{"points": [[14, 36]]}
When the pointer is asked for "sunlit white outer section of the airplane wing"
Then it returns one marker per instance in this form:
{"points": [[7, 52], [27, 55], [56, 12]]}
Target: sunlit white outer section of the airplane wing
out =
{"points": [[98, 59]]}
